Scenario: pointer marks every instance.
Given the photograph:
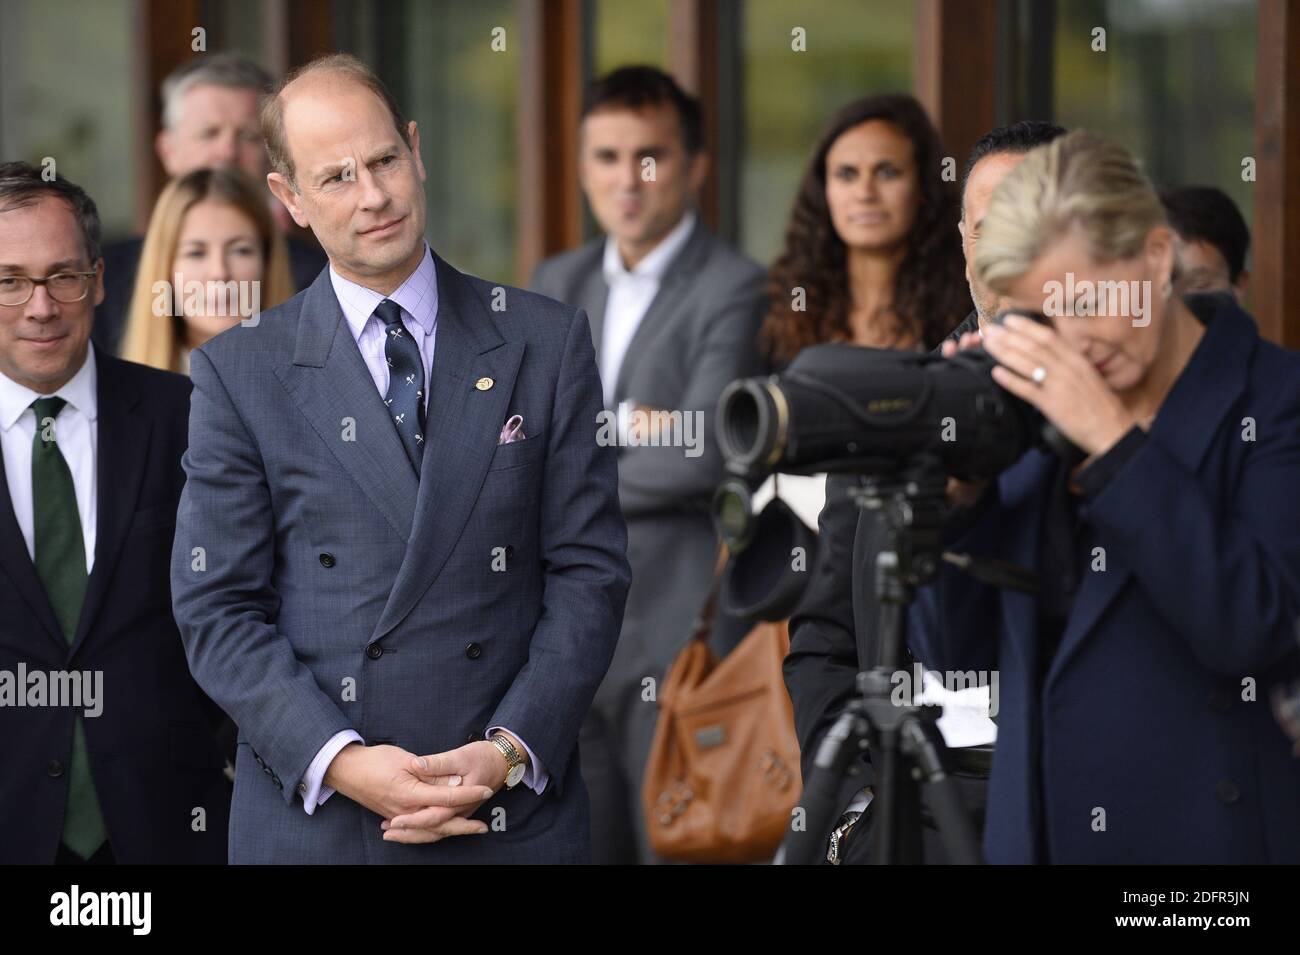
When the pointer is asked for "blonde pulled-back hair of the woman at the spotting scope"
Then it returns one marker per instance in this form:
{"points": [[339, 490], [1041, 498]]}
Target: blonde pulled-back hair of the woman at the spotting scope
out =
{"points": [[1078, 180]]}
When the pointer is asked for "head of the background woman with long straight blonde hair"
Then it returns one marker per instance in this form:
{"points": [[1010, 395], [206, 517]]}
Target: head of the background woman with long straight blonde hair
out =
{"points": [[215, 248]]}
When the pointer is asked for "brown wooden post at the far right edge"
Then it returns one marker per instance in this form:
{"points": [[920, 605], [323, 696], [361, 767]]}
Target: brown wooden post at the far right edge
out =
{"points": [[1276, 231]]}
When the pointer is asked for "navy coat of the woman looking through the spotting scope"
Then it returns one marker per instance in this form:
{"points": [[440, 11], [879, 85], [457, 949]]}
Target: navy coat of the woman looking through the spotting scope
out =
{"points": [[1154, 719]]}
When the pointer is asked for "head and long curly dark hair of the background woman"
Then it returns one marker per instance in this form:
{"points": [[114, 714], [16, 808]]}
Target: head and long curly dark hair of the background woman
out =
{"points": [[873, 254]]}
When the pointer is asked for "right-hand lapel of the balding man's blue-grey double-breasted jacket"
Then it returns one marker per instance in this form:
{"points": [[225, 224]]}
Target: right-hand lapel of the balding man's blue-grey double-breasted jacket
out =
{"points": [[465, 426]]}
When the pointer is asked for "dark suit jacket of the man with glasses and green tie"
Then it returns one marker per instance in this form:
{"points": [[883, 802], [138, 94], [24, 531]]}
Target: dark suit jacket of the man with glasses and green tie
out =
{"points": [[151, 750]]}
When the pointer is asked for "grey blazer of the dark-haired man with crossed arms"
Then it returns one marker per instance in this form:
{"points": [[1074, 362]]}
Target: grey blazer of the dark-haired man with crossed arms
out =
{"points": [[700, 333]]}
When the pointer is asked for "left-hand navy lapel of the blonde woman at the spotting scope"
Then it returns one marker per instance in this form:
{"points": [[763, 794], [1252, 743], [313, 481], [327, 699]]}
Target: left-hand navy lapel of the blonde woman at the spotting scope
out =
{"points": [[1024, 490]]}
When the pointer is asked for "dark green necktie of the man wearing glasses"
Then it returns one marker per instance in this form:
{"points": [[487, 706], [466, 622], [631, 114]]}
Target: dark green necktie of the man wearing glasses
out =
{"points": [[62, 567]]}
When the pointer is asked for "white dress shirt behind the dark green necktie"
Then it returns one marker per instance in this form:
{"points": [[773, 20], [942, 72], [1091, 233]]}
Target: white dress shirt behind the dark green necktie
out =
{"points": [[76, 435]]}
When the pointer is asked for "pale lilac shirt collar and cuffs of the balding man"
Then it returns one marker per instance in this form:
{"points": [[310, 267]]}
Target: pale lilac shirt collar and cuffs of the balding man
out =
{"points": [[418, 297]]}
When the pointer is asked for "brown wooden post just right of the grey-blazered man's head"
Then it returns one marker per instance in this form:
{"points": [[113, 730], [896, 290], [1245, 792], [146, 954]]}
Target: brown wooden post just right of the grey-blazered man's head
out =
{"points": [[694, 62]]}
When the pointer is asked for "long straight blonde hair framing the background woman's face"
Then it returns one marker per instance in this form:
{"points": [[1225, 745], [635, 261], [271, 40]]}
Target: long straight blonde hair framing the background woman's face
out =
{"points": [[153, 340]]}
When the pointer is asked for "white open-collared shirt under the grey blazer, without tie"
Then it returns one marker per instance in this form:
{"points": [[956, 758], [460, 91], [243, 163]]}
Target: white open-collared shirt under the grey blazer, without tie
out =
{"points": [[631, 296]]}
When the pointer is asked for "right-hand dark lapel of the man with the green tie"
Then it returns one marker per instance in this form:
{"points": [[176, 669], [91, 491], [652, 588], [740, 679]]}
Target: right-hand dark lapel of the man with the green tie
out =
{"points": [[123, 448]]}
